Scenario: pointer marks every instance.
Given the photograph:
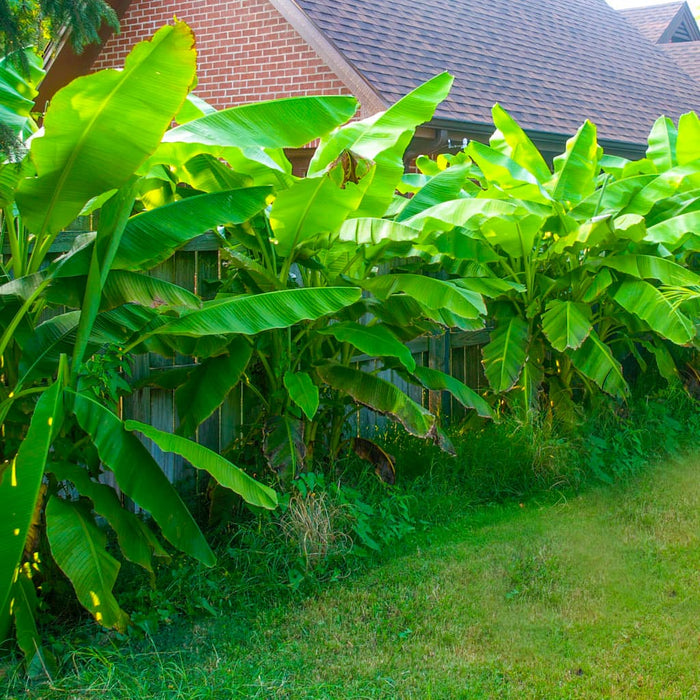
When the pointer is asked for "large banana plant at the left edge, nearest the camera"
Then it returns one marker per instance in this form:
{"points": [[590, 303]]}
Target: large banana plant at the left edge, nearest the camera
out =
{"points": [[61, 437]]}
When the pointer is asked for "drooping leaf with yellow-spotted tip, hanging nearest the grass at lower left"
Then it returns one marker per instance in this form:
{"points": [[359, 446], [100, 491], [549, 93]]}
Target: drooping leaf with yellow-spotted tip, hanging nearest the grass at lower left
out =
{"points": [[78, 546]]}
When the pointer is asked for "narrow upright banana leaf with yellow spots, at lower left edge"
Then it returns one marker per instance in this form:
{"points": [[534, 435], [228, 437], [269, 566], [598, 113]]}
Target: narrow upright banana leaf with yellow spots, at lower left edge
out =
{"points": [[19, 489]]}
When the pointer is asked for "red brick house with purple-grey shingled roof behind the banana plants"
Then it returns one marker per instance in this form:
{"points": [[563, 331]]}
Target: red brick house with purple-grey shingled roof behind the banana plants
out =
{"points": [[551, 63]]}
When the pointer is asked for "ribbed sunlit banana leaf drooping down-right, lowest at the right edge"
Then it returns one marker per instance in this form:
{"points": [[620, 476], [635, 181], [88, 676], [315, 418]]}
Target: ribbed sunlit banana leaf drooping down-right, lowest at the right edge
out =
{"points": [[646, 302]]}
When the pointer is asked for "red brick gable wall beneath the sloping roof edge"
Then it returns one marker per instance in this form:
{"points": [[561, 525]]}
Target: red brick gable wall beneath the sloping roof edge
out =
{"points": [[246, 50]]}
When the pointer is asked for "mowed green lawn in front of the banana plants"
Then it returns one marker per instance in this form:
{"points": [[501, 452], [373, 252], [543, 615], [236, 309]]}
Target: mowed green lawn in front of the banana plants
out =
{"points": [[597, 596]]}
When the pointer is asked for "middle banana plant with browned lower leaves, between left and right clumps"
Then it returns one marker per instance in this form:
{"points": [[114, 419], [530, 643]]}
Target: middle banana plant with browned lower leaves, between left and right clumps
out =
{"points": [[330, 230]]}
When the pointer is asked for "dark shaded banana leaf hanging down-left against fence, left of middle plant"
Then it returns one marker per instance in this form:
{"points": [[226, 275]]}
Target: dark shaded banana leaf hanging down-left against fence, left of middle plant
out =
{"points": [[209, 383]]}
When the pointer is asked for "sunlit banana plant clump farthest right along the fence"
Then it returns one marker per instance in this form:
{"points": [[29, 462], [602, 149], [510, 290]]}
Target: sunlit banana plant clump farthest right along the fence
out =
{"points": [[584, 265]]}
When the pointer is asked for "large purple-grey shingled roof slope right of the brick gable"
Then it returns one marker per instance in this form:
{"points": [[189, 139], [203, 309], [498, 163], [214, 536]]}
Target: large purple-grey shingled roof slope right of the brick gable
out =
{"points": [[551, 63]]}
